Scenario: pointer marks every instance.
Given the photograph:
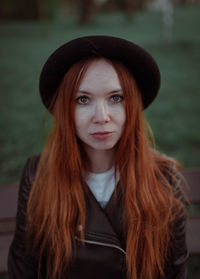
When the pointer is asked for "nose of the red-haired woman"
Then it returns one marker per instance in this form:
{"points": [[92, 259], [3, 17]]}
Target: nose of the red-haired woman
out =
{"points": [[101, 113]]}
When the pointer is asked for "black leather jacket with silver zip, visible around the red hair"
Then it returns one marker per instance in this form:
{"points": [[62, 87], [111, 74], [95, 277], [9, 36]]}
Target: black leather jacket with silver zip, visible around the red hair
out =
{"points": [[103, 255]]}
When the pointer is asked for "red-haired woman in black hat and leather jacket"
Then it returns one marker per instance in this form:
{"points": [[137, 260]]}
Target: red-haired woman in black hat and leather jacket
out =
{"points": [[99, 202]]}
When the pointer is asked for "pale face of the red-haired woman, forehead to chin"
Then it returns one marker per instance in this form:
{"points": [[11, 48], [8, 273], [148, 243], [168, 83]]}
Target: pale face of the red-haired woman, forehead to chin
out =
{"points": [[100, 109]]}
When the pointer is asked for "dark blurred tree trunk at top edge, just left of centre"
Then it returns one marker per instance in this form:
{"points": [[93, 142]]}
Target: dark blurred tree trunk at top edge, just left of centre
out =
{"points": [[86, 11]]}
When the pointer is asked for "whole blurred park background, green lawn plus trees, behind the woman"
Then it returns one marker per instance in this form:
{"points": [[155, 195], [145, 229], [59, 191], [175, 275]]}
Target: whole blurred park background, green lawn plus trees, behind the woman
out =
{"points": [[32, 30]]}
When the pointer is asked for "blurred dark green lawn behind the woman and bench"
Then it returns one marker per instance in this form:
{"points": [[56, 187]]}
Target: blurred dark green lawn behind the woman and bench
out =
{"points": [[174, 116]]}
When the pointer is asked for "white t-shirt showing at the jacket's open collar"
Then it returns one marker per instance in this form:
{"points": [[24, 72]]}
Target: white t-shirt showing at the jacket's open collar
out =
{"points": [[102, 185]]}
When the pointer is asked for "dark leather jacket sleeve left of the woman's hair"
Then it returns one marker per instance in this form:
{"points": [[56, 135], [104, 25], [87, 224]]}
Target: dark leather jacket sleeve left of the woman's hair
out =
{"points": [[23, 262]]}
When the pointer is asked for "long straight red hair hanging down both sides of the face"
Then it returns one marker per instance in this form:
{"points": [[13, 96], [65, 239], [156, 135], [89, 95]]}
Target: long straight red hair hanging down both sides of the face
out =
{"points": [[56, 204]]}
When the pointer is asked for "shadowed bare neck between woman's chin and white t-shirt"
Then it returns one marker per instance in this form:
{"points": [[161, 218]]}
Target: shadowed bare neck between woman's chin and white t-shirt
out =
{"points": [[100, 160]]}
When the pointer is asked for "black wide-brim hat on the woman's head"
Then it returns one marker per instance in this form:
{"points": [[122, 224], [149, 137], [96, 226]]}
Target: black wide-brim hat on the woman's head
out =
{"points": [[139, 62]]}
